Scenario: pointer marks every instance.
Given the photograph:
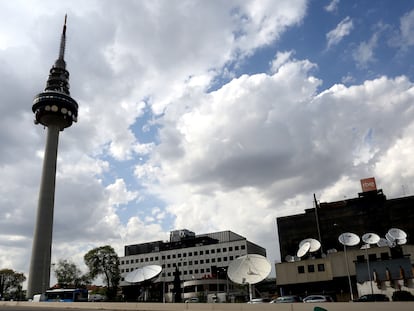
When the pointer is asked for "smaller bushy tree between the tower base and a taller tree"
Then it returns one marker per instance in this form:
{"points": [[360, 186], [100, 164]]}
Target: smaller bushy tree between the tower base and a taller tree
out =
{"points": [[68, 274]]}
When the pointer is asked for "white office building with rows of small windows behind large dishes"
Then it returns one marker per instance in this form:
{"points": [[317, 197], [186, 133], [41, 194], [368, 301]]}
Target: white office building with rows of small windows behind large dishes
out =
{"points": [[195, 257]]}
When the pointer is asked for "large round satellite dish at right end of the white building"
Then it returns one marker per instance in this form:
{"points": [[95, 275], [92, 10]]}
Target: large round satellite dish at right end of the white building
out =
{"points": [[250, 268]]}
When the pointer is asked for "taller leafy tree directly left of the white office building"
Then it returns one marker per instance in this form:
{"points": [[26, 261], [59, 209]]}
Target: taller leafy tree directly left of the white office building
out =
{"points": [[104, 261]]}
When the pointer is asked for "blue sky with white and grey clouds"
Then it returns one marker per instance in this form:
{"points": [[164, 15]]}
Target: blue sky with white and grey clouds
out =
{"points": [[204, 115]]}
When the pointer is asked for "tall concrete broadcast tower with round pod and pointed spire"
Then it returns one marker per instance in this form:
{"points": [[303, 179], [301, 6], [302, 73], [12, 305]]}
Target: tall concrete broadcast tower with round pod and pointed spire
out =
{"points": [[56, 110]]}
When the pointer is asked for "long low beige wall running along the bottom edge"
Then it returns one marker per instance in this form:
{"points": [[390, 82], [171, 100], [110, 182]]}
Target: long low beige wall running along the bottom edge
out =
{"points": [[334, 306]]}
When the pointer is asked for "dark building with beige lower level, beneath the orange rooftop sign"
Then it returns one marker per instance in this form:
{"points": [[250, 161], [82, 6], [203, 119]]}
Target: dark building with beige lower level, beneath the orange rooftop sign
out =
{"points": [[358, 270]]}
